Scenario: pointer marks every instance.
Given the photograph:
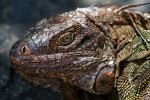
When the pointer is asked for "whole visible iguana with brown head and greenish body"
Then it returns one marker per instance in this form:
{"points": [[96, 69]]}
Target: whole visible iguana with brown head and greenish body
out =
{"points": [[94, 53]]}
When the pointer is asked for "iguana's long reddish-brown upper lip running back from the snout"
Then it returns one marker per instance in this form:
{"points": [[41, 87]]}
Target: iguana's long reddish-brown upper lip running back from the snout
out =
{"points": [[16, 58]]}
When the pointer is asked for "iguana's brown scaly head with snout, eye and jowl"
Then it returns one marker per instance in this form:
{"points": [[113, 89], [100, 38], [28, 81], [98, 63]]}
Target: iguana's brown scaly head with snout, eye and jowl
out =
{"points": [[69, 47]]}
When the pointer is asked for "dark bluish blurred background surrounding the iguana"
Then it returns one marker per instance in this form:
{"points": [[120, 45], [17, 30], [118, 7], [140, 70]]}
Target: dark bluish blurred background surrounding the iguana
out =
{"points": [[16, 16]]}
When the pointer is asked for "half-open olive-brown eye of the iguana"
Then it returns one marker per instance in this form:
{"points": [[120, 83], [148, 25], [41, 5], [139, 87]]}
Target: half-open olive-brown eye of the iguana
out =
{"points": [[66, 38]]}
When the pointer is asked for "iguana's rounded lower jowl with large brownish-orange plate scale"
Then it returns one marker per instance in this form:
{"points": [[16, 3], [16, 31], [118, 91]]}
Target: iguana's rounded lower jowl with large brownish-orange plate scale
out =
{"points": [[100, 80]]}
